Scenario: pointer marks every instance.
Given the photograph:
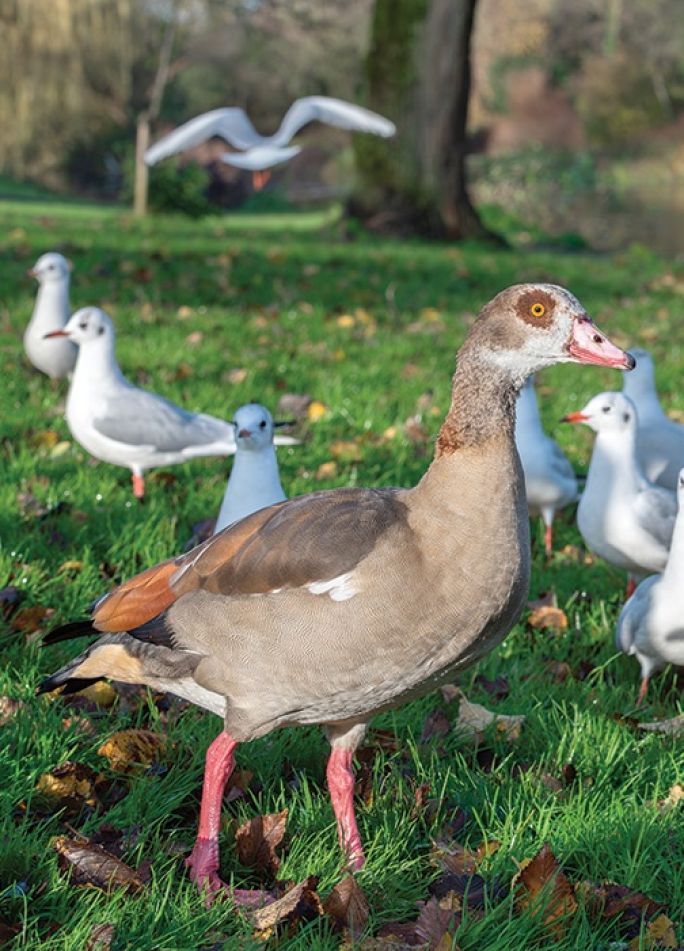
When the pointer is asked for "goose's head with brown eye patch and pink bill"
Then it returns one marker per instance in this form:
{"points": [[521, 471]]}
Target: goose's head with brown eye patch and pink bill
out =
{"points": [[531, 326]]}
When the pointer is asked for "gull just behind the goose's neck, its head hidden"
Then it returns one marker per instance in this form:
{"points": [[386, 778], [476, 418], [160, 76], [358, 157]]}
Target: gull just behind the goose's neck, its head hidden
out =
{"points": [[550, 482]]}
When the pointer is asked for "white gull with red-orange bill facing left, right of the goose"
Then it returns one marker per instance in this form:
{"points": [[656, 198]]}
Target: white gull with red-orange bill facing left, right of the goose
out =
{"points": [[622, 516]]}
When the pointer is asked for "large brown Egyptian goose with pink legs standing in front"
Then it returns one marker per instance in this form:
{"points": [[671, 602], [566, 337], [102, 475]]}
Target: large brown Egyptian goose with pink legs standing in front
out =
{"points": [[333, 606]]}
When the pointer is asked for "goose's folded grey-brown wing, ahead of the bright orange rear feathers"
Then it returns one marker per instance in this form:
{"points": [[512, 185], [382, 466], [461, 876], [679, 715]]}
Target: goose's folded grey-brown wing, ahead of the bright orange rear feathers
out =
{"points": [[312, 538]]}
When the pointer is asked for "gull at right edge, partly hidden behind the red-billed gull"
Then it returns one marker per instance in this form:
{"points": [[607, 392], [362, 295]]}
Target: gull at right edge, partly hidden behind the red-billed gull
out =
{"points": [[660, 440]]}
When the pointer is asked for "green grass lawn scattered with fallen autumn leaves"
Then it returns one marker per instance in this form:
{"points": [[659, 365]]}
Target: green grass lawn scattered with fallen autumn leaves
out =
{"points": [[266, 292]]}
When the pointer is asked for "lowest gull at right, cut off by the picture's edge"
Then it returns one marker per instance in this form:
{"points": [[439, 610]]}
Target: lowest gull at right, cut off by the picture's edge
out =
{"points": [[651, 624]]}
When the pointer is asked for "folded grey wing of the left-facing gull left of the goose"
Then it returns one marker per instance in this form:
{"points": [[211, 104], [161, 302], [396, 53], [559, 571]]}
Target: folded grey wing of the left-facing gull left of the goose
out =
{"points": [[138, 418]]}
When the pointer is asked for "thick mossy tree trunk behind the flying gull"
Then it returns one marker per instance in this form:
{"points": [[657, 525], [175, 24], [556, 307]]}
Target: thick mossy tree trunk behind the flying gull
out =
{"points": [[418, 73]]}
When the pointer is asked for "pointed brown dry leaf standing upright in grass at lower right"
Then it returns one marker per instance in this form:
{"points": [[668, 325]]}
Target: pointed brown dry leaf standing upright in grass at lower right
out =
{"points": [[544, 891]]}
